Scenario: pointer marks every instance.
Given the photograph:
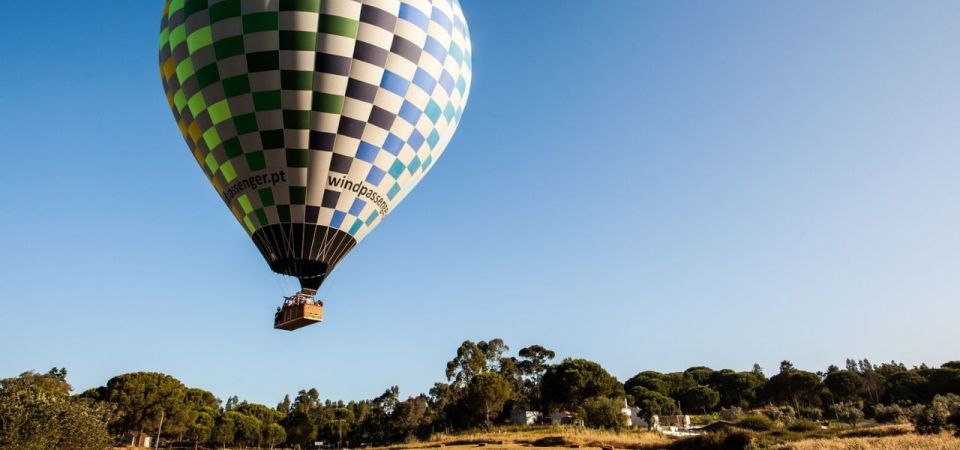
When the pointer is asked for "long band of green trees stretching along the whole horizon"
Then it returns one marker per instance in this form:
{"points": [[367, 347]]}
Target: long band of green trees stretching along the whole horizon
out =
{"points": [[484, 383]]}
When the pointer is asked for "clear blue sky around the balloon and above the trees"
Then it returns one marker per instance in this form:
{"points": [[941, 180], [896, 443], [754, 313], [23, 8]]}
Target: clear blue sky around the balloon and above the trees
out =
{"points": [[651, 185]]}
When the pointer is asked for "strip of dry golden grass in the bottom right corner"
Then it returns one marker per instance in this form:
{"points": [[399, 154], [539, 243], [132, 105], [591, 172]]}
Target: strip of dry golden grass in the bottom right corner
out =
{"points": [[906, 442]]}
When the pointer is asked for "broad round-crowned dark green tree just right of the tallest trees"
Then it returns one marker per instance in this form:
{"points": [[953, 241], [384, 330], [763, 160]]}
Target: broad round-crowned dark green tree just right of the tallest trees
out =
{"points": [[573, 381]]}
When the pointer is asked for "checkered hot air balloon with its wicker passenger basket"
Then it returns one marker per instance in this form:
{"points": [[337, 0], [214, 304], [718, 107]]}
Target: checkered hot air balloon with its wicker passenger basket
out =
{"points": [[313, 119]]}
